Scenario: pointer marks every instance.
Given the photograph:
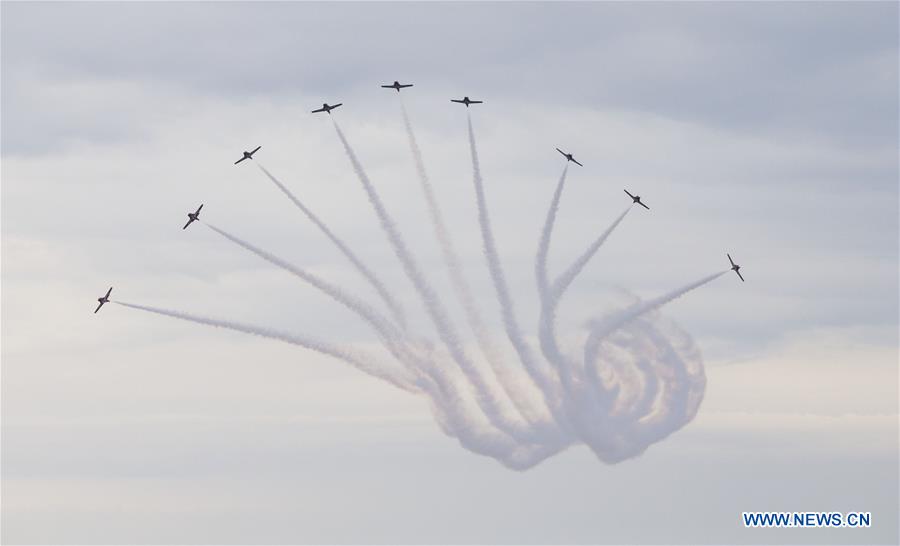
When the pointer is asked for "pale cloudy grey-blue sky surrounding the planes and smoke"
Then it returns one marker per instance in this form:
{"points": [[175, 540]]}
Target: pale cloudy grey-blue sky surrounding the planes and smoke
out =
{"points": [[766, 130]]}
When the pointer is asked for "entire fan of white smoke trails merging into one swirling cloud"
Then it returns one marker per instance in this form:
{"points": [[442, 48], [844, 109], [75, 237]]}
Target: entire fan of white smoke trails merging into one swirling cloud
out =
{"points": [[636, 380]]}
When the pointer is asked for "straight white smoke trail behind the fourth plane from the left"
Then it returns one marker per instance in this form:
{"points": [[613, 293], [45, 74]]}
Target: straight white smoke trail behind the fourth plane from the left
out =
{"points": [[485, 396]]}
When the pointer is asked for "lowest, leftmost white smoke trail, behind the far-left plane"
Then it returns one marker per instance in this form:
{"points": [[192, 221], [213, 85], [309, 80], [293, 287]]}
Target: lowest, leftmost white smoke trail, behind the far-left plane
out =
{"points": [[398, 378]]}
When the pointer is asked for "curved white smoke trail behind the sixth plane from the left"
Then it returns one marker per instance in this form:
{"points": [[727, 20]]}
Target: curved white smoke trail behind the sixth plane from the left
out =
{"points": [[549, 390]]}
